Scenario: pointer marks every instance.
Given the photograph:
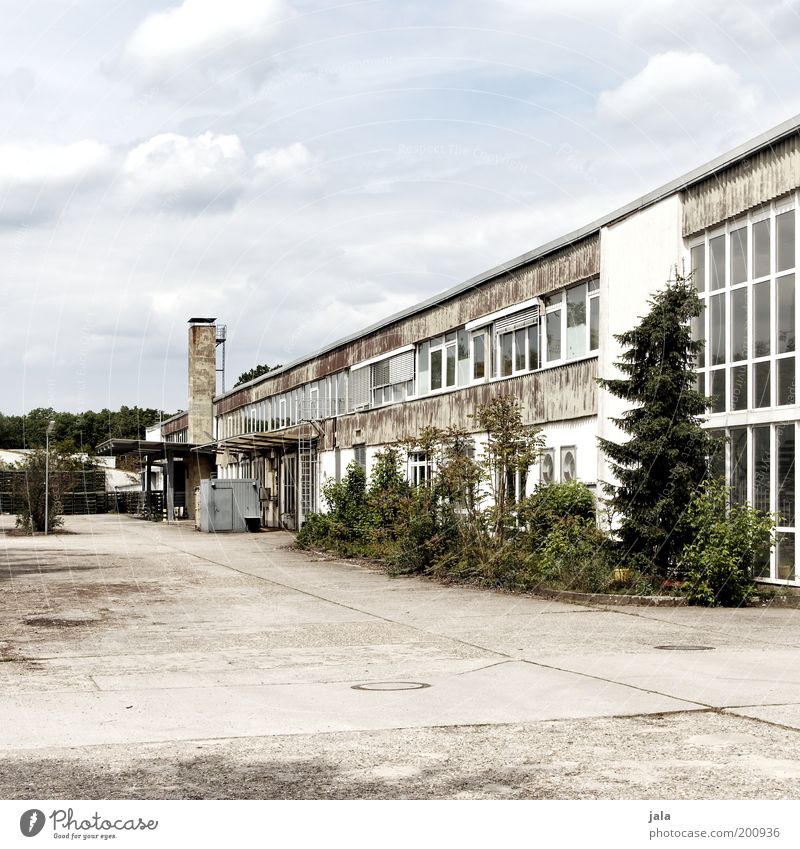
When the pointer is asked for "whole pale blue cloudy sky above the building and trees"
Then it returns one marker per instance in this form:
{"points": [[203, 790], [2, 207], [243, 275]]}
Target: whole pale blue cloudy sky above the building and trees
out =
{"points": [[300, 169]]}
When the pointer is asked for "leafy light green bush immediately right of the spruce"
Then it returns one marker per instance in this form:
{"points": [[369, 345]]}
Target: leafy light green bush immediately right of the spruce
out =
{"points": [[729, 542]]}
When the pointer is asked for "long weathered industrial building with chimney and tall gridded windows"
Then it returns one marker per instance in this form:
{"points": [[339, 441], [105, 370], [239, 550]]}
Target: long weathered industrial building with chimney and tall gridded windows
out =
{"points": [[541, 328]]}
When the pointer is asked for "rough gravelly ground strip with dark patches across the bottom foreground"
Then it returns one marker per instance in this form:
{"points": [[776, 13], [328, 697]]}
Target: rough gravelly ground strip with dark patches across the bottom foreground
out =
{"points": [[696, 755]]}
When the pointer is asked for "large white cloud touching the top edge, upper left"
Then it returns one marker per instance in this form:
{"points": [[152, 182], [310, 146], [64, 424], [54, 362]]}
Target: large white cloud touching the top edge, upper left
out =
{"points": [[186, 39]]}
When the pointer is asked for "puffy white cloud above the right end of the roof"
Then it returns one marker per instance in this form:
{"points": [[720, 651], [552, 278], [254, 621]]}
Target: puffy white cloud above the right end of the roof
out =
{"points": [[681, 94]]}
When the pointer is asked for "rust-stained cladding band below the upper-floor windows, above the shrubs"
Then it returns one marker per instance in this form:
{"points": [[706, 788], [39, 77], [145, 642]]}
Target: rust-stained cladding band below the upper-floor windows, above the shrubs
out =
{"points": [[557, 394]]}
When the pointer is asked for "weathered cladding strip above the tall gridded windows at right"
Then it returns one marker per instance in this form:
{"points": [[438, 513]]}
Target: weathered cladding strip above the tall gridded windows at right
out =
{"points": [[765, 176]]}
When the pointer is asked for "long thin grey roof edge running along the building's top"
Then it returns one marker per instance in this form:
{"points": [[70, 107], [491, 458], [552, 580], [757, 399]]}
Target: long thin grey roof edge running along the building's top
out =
{"points": [[703, 172]]}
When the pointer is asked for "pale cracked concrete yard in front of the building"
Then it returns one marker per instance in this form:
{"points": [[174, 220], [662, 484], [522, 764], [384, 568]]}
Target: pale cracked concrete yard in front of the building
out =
{"points": [[143, 660]]}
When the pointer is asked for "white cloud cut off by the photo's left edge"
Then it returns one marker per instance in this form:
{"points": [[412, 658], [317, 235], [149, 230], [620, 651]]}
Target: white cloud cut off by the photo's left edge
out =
{"points": [[37, 180]]}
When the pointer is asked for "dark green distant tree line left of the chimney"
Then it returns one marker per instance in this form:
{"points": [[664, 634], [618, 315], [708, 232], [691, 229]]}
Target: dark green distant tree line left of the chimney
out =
{"points": [[77, 431]]}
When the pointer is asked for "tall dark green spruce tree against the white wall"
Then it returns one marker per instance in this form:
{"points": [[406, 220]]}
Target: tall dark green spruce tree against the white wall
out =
{"points": [[666, 456]]}
